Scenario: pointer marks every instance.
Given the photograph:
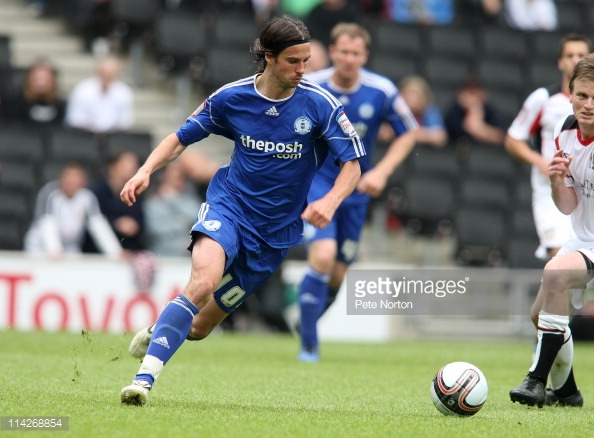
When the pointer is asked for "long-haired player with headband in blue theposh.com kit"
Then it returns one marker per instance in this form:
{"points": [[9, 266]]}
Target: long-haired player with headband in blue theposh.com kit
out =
{"points": [[284, 127]]}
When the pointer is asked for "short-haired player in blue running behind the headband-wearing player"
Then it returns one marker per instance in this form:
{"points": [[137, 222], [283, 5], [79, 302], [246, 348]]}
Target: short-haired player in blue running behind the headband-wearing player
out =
{"points": [[369, 100]]}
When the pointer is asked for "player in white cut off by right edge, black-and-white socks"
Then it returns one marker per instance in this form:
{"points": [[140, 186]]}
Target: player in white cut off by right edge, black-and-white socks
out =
{"points": [[571, 175]]}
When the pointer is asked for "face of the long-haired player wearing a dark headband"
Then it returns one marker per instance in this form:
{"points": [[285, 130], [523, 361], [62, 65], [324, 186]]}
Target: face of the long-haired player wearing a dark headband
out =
{"points": [[289, 66]]}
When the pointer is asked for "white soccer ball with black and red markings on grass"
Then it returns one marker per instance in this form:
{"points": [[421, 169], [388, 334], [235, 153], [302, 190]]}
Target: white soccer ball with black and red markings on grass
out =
{"points": [[459, 388]]}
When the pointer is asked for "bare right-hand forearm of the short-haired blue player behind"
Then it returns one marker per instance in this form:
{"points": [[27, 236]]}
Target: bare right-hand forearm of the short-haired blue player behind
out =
{"points": [[374, 180]]}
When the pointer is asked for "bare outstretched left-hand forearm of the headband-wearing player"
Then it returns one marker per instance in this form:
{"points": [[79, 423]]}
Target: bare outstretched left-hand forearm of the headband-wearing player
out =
{"points": [[168, 150]]}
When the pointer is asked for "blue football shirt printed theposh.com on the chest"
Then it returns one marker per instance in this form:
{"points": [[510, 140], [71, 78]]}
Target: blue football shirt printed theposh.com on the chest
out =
{"points": [[279, 146]]}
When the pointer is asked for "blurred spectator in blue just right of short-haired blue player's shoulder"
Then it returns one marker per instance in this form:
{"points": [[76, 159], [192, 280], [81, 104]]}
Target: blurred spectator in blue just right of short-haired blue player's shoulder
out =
{"points": [[418, 95]]}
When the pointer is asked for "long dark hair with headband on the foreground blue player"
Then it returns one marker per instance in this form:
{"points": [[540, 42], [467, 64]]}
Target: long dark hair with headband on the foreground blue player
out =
{"points": [[278, 34]]}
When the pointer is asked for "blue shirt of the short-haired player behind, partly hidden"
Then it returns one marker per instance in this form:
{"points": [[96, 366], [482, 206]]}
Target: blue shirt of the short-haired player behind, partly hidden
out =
{"points": [[373, 101]]}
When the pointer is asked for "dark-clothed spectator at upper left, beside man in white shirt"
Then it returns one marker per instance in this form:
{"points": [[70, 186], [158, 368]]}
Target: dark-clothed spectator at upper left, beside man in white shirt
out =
{"points": [[39, 99]]}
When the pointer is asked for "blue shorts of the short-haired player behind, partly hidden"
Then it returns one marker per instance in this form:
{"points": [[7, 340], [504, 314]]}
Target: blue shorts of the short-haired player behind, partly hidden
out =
{"points": [[346, 225]]}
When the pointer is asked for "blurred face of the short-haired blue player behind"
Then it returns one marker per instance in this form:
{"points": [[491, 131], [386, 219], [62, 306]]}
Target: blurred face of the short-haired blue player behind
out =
{"points": [[348, 56]]}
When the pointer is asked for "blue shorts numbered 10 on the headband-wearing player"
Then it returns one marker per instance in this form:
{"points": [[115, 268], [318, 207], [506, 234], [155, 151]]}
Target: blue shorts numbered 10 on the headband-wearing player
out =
{"points": [[250, 260]]}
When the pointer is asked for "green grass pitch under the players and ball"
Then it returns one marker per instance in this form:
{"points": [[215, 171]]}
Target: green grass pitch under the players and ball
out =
{"points": [[248, 385]]}
